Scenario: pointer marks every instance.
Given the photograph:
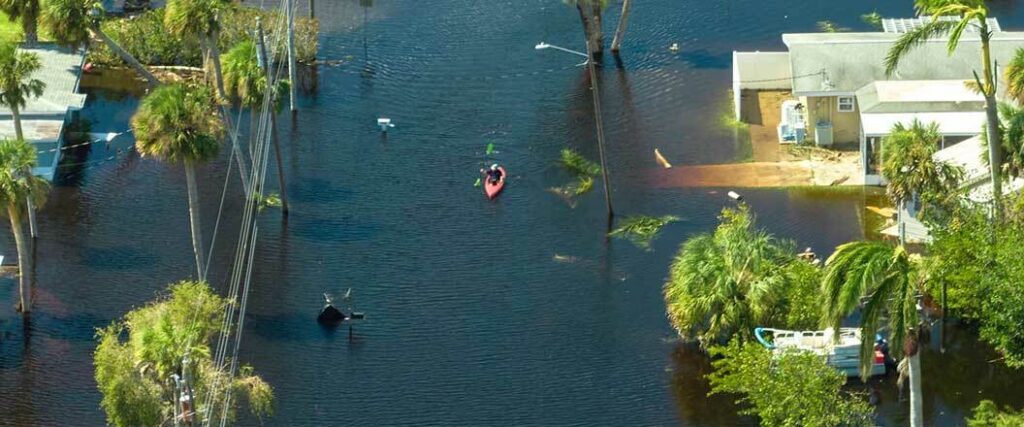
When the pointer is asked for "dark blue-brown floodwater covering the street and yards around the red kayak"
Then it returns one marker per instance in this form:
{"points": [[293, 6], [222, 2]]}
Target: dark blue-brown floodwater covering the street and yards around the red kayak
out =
{"points": [[473, 320]]}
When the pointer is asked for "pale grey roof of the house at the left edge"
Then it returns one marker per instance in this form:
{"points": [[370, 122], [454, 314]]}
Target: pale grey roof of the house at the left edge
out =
{"points": [[61, 71]]}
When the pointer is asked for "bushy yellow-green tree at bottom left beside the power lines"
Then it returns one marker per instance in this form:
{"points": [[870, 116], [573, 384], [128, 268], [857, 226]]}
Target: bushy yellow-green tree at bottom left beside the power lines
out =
{"points": [[138, 356]]}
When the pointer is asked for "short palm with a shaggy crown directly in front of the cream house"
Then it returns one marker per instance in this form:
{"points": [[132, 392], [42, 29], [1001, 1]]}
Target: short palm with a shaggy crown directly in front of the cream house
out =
{"points": [[911, 169]]}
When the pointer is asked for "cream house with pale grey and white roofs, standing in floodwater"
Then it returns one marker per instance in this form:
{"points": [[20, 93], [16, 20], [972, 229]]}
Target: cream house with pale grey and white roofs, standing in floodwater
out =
{"points": [[840, 80]]}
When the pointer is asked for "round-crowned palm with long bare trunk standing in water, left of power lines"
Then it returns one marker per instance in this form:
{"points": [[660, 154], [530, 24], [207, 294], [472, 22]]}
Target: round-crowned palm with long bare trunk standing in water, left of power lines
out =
{"points": [[180, 124]]}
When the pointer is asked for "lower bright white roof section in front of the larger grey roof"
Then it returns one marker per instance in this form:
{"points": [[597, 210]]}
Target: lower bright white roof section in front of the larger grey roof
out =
{"points": [[919, 97]]}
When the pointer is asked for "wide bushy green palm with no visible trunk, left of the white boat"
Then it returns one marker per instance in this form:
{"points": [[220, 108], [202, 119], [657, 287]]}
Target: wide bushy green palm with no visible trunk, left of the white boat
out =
{"points": [[727, 283]]}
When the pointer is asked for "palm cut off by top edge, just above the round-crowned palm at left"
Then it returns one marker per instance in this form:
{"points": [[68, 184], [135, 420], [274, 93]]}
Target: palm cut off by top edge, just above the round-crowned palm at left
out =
{"points": [[200, 17]]}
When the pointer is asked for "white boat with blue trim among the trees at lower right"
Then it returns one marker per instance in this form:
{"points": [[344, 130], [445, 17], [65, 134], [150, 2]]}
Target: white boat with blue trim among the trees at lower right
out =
{"points": [[844, 354]]}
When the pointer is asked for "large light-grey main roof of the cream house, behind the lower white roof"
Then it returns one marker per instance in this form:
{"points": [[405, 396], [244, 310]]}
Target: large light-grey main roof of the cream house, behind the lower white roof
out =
{"points": [[843, 63]]}
